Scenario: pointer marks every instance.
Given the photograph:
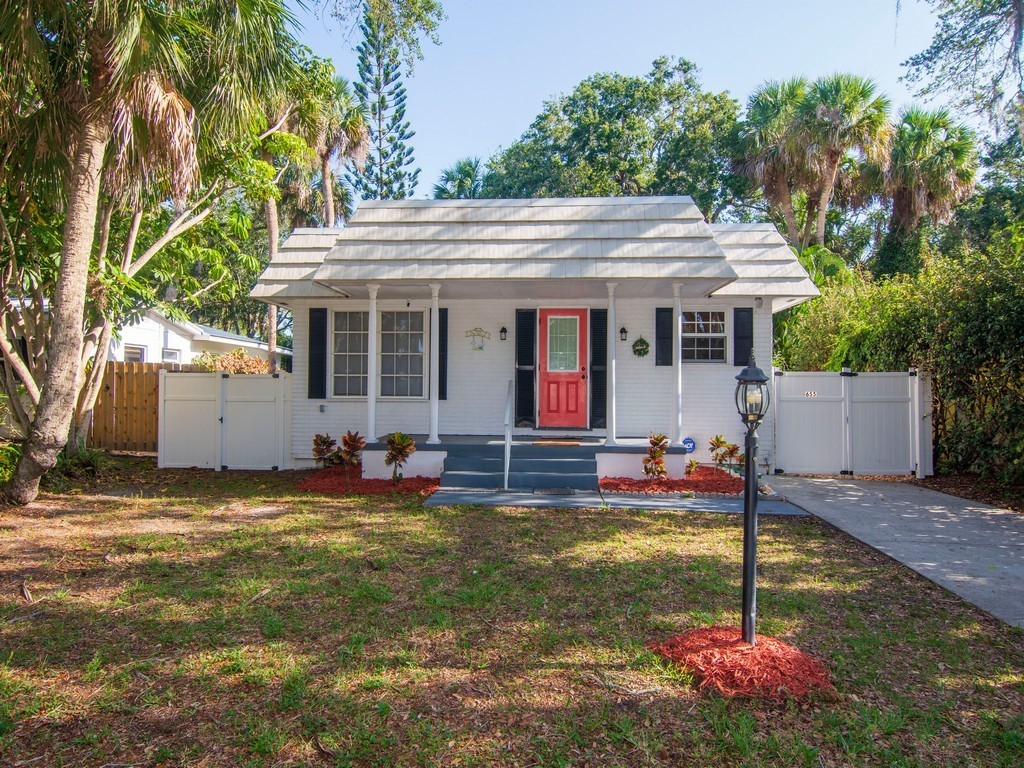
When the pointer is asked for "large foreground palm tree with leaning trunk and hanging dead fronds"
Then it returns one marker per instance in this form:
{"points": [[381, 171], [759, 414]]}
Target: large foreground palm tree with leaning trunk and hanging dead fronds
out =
{"points": [[108, 78]]}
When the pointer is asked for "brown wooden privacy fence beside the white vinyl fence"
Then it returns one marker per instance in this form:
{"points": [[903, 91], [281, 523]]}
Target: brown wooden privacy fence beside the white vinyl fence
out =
{"points": [[126, 413]]}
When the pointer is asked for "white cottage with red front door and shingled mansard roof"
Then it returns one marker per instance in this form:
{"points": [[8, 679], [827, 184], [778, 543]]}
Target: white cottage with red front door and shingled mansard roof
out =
{"points": [[418, 316]]}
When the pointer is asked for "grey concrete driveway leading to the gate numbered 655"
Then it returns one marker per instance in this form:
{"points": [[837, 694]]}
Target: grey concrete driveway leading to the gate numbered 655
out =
{"points": [[972, 549]]}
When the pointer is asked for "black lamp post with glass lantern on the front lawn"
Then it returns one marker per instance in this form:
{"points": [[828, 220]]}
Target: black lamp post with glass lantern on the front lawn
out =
{"points": [[752, 403]]}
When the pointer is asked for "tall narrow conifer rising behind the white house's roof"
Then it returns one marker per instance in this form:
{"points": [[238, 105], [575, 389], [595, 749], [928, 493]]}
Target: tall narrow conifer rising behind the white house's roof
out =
{"points": [[388, 175]]}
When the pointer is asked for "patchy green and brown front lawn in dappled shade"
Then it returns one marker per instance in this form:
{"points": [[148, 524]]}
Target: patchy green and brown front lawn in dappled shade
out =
{"points": [[194, 619]]}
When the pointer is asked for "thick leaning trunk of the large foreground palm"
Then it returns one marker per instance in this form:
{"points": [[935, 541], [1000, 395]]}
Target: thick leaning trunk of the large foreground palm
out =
{"points": [[59, 393]]}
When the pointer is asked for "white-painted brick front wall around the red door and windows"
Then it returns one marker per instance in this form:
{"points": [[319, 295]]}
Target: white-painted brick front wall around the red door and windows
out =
{"points": [[478, 380]]}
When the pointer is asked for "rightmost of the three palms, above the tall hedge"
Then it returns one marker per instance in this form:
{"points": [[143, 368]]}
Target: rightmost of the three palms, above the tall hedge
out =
{"points": [[931, 170]]}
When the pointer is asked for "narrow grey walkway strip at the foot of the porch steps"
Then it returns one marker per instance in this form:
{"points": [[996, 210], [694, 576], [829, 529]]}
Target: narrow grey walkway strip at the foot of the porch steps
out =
{"points": [[589, 500]]}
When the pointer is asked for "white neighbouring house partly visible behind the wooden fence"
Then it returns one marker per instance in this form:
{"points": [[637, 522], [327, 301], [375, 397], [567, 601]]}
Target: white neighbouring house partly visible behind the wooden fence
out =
{"points": [[157, 338]]}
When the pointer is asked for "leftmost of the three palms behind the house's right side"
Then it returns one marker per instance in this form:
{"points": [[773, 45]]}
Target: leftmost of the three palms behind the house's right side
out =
{"points": [[774, 158]]}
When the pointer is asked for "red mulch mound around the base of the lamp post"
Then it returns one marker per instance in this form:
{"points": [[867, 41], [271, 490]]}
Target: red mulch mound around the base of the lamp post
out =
{"points": [[771, 669]]}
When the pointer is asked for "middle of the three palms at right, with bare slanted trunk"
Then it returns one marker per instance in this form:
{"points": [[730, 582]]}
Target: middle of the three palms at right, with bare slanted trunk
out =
{"points": [[842, 114]]}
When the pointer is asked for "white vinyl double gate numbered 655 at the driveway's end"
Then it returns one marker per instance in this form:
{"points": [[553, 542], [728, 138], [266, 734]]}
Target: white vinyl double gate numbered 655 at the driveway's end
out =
{"points": [[854, 423]]}
